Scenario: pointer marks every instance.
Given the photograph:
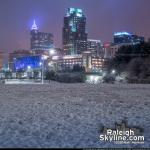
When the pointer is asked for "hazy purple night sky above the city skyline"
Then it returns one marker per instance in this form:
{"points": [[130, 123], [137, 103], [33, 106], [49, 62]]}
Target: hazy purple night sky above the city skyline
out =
{"points": [[103, 18]]}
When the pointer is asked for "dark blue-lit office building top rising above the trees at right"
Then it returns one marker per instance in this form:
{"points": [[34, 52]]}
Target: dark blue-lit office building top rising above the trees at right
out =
{"points": [[125, 37]]}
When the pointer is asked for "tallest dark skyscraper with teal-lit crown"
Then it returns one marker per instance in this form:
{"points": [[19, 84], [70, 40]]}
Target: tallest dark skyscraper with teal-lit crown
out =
{"points": [[74, 32]]}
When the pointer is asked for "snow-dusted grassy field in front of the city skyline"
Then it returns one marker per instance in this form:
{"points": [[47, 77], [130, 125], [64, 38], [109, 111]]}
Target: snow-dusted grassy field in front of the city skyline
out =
{"points": [[70, 115]]}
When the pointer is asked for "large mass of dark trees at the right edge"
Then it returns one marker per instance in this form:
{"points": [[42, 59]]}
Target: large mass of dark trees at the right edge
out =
{"points": [[134, 60]]}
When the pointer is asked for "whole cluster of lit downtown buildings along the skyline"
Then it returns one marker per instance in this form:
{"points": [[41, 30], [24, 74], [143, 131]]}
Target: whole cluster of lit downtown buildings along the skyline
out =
{"points": [[77, 49]]}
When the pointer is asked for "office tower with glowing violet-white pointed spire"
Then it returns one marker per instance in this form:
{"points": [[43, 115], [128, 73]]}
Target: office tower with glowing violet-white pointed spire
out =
{"points": [[40, 41]]}
